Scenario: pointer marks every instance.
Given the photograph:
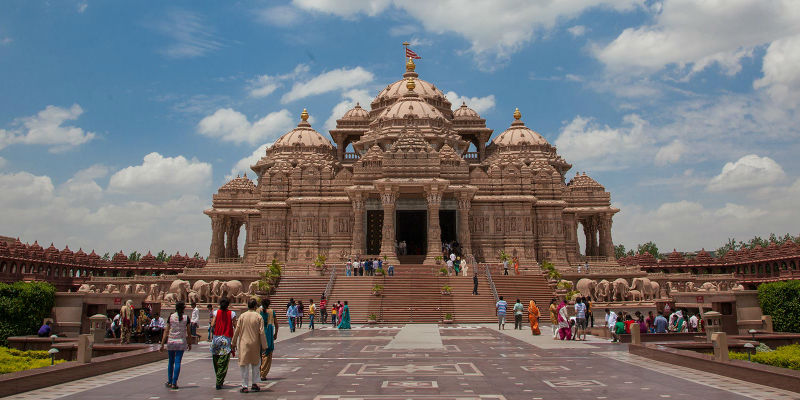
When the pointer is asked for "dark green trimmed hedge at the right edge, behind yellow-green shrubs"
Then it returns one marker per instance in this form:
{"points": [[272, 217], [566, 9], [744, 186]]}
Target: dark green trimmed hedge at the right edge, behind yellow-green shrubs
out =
{"points": [[781, 300]]}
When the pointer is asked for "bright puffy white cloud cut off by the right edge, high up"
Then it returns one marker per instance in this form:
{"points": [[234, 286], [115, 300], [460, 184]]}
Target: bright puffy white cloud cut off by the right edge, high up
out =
{"points": [[781, 78]]}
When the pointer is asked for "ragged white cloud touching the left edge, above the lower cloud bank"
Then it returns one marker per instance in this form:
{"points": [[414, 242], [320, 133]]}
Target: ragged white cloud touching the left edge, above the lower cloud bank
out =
{"points": [[46, 128]]}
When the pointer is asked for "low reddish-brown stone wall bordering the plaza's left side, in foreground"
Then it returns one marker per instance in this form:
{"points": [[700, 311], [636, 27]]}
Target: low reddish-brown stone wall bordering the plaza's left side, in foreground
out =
{"points": [[23, 381]]}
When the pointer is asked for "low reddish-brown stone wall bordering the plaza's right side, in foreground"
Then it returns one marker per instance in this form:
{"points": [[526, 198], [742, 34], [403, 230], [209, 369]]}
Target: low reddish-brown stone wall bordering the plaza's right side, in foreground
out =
{"points": [[781, 378]]}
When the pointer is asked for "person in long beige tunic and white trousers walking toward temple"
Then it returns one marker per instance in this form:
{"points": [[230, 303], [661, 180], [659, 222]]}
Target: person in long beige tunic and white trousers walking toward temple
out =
{"points": [[251, 341]]}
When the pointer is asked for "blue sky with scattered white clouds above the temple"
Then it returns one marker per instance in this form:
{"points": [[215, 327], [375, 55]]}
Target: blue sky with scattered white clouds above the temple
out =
{"points": [[119, 120]]}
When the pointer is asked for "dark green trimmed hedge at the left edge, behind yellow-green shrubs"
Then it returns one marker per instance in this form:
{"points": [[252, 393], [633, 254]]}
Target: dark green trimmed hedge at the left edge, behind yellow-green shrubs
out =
{"points": [[24, 306]]}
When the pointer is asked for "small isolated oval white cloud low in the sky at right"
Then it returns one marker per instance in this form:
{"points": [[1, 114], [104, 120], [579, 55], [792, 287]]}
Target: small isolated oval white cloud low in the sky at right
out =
{"points": [[747, 172]]}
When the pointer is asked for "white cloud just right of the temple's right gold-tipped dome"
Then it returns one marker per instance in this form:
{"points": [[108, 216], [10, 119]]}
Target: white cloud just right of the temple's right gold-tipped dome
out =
{"points": [[582, 140]]}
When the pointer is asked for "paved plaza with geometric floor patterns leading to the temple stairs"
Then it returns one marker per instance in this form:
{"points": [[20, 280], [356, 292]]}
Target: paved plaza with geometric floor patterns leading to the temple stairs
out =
{"points": [[461, 362]]}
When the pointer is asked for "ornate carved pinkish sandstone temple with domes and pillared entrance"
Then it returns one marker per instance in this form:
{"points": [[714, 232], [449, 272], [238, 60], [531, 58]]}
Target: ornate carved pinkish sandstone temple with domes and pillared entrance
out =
{"points": [[411, 170]]}
